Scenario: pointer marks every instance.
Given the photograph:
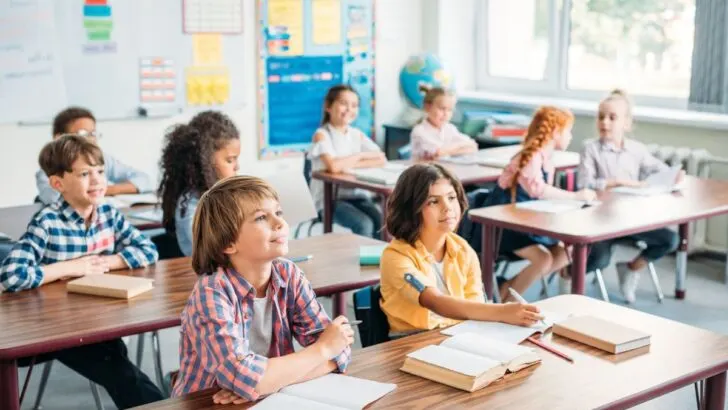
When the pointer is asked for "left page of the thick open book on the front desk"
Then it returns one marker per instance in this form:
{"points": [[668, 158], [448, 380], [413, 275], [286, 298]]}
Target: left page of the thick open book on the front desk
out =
{"points": [[456, 360]]}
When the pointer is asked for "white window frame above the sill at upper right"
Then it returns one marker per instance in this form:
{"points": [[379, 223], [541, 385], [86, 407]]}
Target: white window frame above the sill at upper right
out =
{"points": [[555, 79]]}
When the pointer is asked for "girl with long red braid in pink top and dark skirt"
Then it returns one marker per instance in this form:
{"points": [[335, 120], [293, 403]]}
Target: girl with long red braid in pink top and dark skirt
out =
{"points": [[530, 176]]}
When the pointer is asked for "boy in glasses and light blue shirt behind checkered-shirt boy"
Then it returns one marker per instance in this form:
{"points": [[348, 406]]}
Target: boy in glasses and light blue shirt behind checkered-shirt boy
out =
{"points": [[123, 178]]}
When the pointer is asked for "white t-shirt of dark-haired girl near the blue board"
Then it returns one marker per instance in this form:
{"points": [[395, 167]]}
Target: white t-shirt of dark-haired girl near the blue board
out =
{"points": [[338, 144]]}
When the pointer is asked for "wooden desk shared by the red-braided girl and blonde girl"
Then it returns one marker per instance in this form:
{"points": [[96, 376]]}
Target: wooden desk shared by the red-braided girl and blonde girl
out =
{"points": [[617, 216]]}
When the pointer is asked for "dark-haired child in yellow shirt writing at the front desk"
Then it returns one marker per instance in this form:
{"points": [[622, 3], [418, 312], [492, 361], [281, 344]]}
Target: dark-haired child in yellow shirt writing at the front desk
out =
{"points": [[430, 275]]}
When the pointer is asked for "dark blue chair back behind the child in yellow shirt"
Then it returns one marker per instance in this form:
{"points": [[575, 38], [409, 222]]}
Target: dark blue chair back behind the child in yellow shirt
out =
{"points": [[374, 328]]}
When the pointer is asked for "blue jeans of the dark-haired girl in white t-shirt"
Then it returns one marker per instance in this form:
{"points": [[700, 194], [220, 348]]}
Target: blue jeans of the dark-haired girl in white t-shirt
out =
{"points": [[360, 215]]}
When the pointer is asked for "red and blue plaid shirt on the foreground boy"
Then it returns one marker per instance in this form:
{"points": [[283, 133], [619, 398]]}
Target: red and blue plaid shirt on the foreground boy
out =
{"points": [[214, 346]]}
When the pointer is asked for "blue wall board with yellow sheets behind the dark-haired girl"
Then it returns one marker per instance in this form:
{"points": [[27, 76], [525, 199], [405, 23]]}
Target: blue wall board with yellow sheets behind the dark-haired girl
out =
{"points": [[306, 47]]}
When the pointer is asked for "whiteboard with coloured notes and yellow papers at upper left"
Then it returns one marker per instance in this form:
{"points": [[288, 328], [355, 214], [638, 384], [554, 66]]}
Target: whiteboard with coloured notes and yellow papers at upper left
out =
{"points": [[120, 58]]}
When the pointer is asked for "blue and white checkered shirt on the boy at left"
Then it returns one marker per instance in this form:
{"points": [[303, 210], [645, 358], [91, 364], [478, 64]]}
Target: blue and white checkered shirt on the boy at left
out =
{"points": [[58, 233]]}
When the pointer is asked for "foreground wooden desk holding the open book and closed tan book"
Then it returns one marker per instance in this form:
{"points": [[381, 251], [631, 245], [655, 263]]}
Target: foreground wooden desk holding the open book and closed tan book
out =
{"points": [[596, 380]]}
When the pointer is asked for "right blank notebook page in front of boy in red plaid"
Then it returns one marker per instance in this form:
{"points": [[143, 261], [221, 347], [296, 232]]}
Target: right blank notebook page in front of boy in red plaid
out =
{"points": [[341, 391]]}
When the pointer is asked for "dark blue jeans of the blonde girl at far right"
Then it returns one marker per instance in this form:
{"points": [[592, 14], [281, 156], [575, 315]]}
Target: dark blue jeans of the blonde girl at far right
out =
{"points": [[659, 242]]}
